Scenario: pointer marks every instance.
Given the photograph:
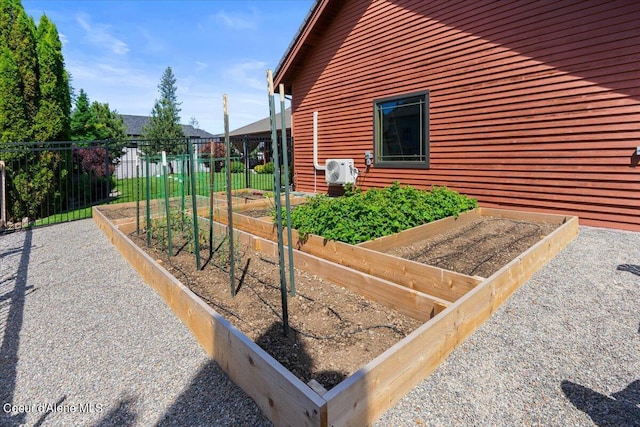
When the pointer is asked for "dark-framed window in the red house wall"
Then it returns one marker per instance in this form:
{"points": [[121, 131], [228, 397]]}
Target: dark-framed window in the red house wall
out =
{"points": [[401, 131]]}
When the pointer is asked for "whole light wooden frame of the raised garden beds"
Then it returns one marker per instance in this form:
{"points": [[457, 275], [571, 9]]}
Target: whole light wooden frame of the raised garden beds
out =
{"points": [[364, 396]]}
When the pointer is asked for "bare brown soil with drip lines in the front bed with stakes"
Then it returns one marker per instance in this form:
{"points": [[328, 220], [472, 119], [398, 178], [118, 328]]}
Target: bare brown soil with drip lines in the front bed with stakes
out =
{"points": [[334, 332]]}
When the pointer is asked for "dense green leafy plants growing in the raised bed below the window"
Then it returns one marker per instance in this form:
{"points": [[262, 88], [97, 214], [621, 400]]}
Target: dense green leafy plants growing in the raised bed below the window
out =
{"points": [[359, 216]]}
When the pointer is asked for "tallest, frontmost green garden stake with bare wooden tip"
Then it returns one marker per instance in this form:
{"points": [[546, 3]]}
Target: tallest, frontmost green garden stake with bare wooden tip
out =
{"points": [[278, 203]]}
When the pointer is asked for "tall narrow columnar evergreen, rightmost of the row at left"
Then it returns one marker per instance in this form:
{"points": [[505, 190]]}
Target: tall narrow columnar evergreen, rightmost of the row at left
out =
{"points": [[52, 119]]}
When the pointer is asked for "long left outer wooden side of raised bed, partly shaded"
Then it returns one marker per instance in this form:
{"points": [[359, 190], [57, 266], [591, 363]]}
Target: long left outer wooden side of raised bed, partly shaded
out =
{"points": [[281, 396]]}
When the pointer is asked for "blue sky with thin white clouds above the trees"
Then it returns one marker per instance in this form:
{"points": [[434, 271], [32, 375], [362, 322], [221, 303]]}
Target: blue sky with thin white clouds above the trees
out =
{"points": [[117, 51]]}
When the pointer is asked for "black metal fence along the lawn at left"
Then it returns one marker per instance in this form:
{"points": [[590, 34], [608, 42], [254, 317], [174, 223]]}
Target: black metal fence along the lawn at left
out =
{"points": [[52, 182]]}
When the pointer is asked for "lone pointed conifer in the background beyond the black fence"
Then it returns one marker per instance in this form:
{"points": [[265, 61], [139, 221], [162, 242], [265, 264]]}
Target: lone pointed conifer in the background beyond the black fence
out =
{"points": [[164, 124]]}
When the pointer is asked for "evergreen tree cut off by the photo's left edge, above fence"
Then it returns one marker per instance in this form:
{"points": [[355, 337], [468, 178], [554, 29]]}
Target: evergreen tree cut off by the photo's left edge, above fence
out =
{"points": [[13, 118]]}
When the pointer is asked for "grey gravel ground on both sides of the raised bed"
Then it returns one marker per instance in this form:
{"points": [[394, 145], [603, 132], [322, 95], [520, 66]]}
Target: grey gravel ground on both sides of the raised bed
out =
{"points": [[80, 329]]}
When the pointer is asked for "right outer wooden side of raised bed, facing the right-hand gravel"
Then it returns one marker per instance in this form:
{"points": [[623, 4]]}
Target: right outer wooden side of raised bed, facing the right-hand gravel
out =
{"points": [[364, 396]]}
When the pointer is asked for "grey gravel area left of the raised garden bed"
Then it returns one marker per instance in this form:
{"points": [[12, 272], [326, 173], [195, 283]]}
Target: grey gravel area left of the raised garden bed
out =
{"points": [[81, 332]]}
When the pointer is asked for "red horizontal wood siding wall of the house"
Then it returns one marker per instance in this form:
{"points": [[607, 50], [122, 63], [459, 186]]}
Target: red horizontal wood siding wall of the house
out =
{"points": [[534, 105]]}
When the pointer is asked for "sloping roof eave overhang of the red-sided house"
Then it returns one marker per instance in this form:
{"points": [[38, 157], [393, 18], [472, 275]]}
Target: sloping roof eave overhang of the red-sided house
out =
{"points": [[320, 14]]}
